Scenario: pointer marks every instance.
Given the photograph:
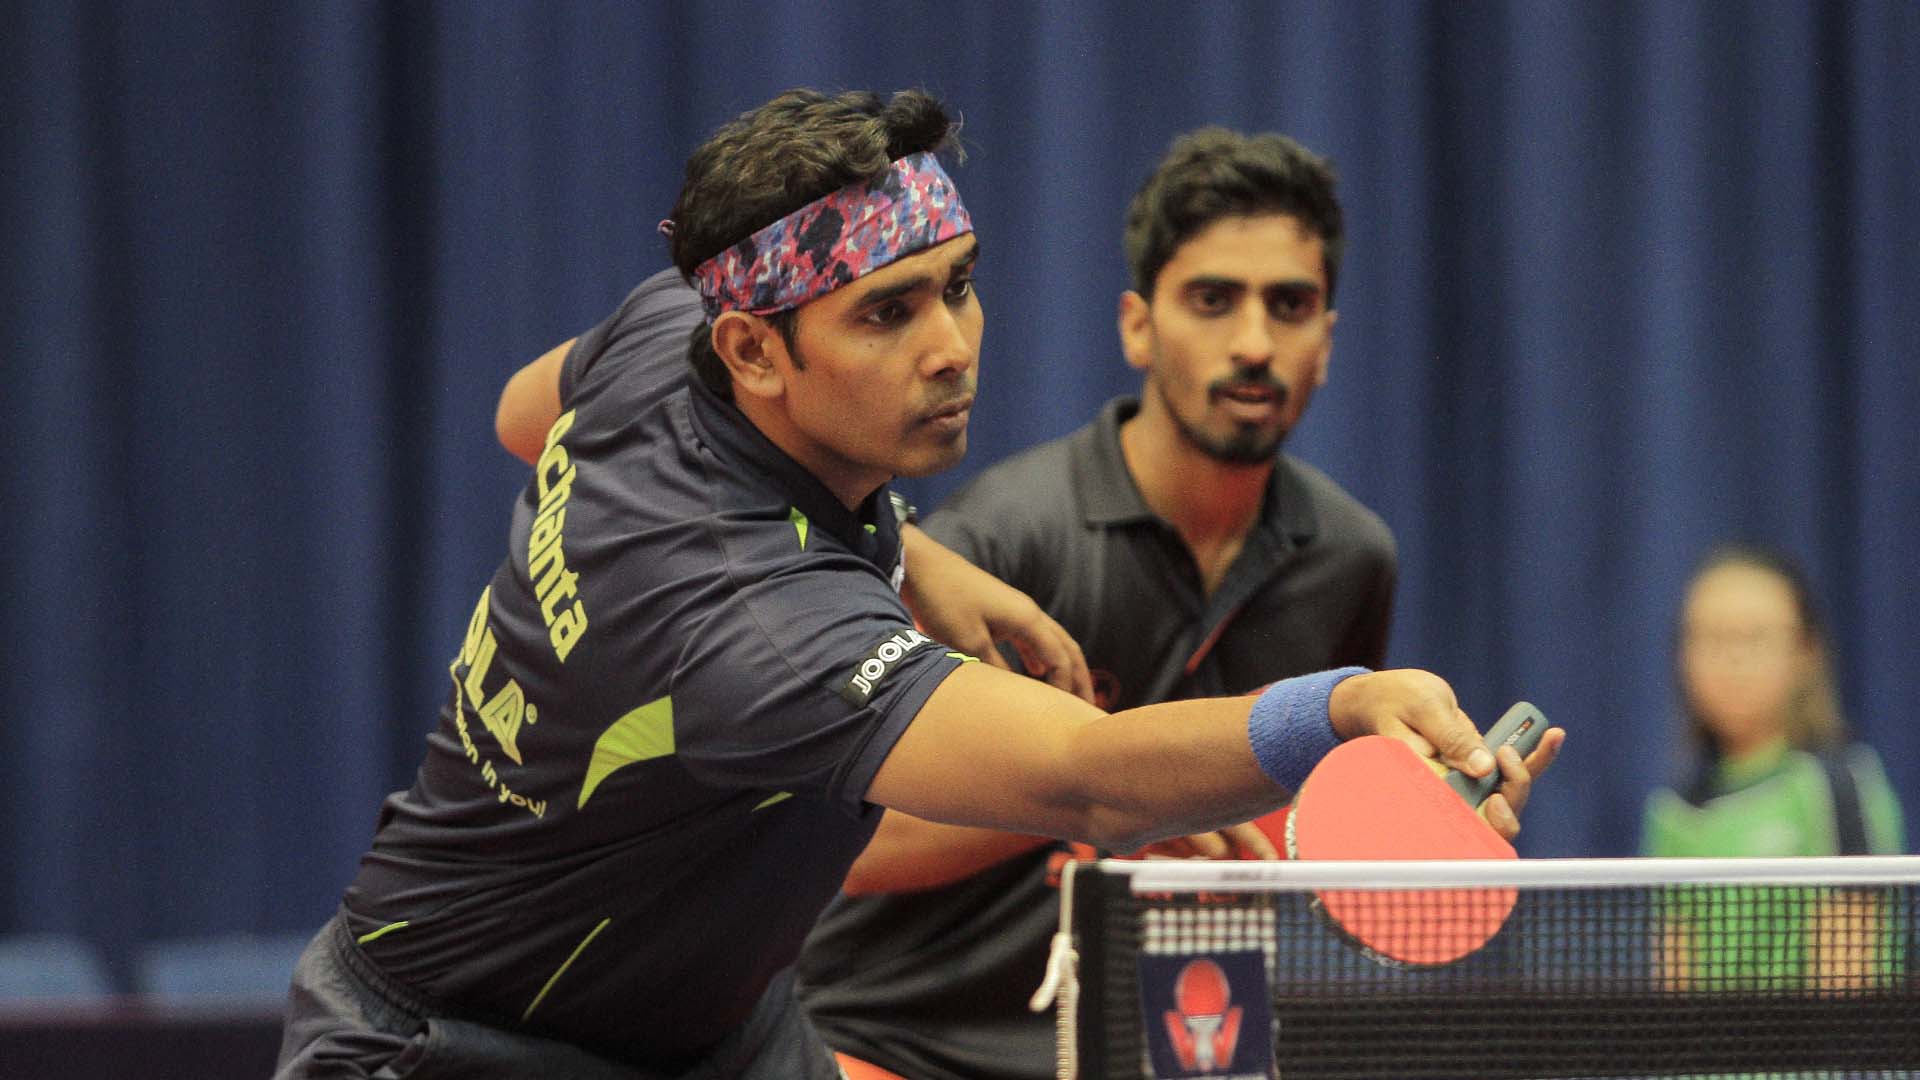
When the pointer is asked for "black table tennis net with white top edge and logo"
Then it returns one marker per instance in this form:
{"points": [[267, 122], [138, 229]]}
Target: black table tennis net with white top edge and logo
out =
{"points": [[1606, 968]]}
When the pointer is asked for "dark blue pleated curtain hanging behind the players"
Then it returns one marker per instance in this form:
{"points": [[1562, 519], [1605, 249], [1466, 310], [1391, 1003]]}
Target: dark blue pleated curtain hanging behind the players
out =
{"points": [[1623, 280]]}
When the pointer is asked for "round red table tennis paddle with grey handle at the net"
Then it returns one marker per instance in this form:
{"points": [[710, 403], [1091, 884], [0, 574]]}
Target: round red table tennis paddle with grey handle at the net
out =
{"points": [[1376, 798]]}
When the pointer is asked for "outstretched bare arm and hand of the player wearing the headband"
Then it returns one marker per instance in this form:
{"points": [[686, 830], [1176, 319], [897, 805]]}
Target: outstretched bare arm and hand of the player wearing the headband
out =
{"points": [[1005, 752]]}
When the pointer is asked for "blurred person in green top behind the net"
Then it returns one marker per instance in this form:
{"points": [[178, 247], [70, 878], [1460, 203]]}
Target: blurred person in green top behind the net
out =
{"points": [[1773, 775]]}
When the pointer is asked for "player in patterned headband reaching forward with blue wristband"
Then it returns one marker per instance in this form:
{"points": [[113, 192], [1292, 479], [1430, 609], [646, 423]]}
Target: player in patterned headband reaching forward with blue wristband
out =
{"points": [[683, 700]]}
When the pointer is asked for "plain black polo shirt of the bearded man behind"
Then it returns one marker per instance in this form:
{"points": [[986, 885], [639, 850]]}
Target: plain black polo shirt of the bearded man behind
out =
{"points": [[936, 983]]}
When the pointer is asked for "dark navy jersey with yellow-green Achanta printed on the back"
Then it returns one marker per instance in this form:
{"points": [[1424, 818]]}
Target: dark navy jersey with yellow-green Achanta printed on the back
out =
{"points": [[661, 725]]}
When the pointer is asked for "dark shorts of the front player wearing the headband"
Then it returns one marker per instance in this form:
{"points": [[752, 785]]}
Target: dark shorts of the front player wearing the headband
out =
{"points": [[348, 1021]]}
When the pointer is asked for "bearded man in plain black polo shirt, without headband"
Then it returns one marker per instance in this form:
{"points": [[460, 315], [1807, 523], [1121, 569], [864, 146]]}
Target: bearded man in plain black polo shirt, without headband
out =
{"points": [[1186, 554]]}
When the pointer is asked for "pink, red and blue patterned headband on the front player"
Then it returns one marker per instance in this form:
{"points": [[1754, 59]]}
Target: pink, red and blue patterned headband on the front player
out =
{"points": [[834, 241]]}
